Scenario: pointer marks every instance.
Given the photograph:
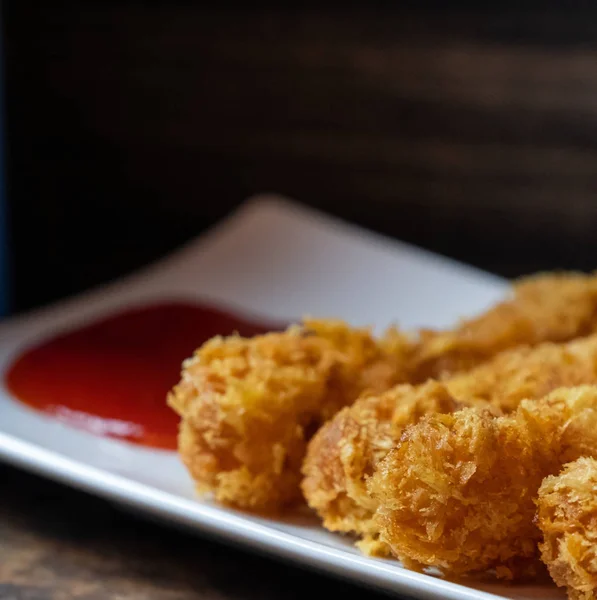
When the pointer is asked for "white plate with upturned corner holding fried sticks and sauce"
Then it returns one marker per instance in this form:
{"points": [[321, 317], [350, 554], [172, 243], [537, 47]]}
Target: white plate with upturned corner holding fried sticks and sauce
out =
{"points": [[283, 261]]}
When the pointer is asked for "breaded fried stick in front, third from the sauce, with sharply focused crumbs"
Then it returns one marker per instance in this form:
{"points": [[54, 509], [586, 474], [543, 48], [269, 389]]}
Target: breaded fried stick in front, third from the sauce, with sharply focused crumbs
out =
{"points": [[458, 492]]}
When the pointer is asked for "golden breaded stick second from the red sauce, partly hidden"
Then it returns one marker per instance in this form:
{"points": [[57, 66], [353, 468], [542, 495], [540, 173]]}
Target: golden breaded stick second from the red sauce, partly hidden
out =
{"points": [[346, 450]]}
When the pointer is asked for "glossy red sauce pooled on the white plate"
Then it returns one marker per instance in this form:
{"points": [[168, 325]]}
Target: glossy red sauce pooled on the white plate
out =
{"points": [[111, 377]]}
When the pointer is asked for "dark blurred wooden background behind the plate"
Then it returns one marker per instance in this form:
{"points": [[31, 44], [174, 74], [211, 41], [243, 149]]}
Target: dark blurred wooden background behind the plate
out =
{"points": [[132, 126]]}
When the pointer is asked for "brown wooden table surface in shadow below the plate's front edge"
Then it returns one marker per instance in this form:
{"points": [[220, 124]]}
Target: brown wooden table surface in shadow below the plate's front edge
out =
{"points": [[59, 544]]}
